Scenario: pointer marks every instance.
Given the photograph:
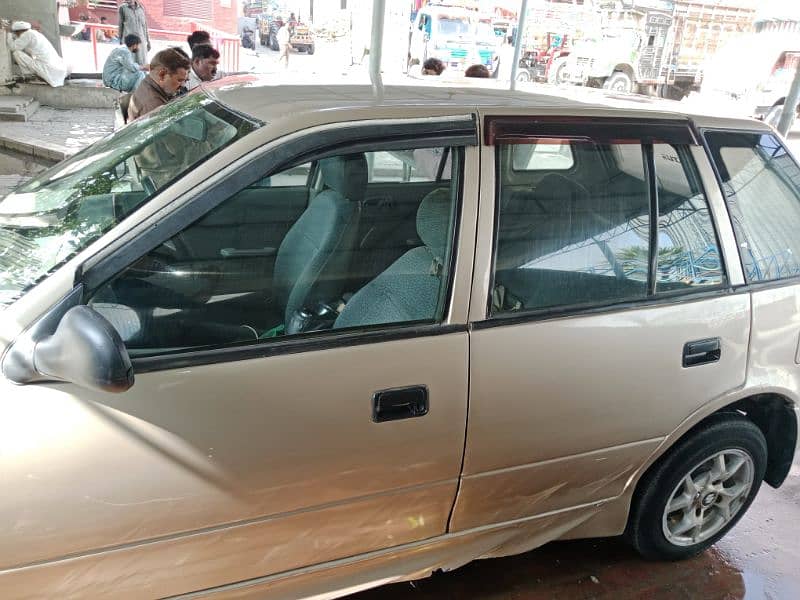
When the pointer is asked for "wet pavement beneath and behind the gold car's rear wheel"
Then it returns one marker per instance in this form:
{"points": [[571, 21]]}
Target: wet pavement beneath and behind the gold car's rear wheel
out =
{"points": [[758, 559]]}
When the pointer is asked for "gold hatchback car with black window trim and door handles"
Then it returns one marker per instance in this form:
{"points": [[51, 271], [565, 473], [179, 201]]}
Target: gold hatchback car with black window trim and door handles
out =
{"points": [[286, 342]]}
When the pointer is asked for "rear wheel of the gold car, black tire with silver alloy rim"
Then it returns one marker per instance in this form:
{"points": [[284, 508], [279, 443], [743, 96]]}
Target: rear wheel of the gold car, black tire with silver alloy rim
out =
{"points": [[658, 534]]}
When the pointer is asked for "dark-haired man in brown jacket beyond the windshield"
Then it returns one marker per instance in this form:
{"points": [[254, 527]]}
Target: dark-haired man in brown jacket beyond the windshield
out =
{"points": [[168, 72]]}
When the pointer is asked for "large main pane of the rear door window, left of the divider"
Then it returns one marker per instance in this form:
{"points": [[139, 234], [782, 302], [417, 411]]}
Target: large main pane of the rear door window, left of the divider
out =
{"points": [[567, 240]]}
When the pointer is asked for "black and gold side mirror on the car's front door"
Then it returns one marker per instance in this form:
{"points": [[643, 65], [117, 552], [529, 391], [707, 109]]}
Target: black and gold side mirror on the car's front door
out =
{"points": [[86, 350]]}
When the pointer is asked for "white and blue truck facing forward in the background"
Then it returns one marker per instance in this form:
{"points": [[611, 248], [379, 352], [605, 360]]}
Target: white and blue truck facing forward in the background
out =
{"points": [[457, 36]]}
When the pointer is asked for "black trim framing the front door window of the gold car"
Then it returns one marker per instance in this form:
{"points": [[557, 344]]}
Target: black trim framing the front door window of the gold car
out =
{"points": [[460, 133]]}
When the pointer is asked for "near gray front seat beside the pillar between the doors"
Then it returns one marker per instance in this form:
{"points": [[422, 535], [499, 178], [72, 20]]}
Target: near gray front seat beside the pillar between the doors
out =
{"points": [[410, 289]]}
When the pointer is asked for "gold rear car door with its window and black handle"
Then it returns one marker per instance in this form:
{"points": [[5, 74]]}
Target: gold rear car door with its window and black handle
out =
{"points": [[608, 321]]}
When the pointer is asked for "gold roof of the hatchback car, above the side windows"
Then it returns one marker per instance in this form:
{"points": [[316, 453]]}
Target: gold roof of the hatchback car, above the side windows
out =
{"points": [[271, 100]]}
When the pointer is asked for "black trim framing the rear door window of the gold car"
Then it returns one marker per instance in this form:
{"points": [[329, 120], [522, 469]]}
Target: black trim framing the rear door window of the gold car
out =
{"points": [[498, 138]]}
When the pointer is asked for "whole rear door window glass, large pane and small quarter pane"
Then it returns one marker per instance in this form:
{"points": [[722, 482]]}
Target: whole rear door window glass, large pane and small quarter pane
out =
{"points": [[584, 237]]}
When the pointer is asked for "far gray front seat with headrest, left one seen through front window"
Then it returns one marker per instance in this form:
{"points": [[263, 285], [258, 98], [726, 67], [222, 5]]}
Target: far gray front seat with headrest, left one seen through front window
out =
{"points": [[313, 259]]}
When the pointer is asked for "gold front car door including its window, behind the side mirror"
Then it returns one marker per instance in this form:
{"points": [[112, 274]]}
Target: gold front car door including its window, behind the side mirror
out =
{"points": [[260, 438]]}
